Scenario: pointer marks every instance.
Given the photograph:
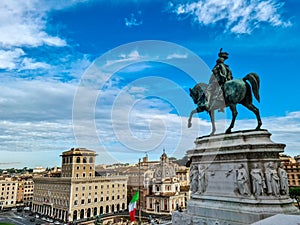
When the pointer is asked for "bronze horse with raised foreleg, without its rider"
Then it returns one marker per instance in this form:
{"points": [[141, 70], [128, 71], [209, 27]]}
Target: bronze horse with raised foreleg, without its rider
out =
{"points": [[236, 91]]}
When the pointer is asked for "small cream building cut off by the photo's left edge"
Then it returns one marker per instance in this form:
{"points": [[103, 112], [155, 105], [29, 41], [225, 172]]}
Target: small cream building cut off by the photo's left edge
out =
{"points": [[9, 190]]}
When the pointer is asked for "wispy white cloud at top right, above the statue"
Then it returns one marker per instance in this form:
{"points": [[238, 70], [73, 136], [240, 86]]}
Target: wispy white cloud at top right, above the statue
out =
{"points": [[240, 16]]}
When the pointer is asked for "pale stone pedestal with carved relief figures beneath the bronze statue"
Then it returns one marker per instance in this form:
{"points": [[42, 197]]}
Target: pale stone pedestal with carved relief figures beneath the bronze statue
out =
{"points": [[235, 179]]}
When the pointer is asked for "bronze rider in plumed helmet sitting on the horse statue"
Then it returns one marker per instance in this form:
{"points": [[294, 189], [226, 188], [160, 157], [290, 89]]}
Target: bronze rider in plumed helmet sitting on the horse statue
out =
{"points": [[221, 74]]}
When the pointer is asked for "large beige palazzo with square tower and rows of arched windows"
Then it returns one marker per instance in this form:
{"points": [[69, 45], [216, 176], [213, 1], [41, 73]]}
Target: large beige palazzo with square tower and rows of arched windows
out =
{"points": [[79, 194]]}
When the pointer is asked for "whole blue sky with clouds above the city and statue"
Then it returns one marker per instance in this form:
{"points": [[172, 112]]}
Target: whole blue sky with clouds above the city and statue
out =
{"points": [[84, 73]]}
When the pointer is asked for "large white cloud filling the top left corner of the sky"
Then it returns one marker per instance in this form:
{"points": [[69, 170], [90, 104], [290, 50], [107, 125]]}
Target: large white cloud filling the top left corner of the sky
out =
{"points": [[23, 23]]}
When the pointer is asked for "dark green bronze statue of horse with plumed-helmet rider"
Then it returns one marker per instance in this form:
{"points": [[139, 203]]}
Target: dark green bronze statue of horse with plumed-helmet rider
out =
{"points": [[223, 91]]}
